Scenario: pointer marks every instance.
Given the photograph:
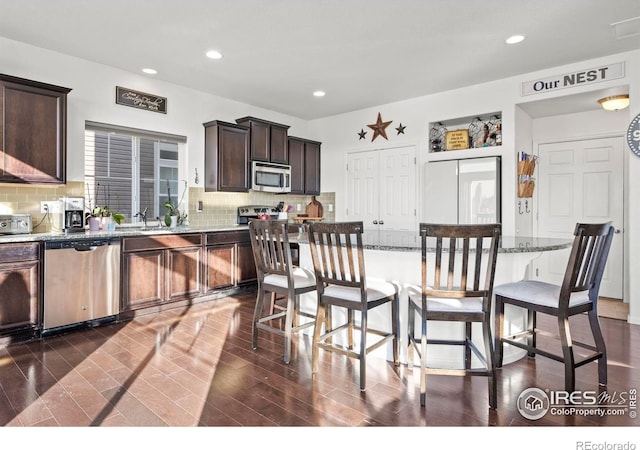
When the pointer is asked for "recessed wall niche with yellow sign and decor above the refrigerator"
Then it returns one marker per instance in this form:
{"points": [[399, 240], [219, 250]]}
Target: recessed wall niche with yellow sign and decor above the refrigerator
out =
{"points": [[480, 132]]}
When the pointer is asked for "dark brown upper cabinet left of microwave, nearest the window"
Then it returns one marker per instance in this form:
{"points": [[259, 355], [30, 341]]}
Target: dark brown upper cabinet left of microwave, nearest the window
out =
{"points": [[226, 157]]}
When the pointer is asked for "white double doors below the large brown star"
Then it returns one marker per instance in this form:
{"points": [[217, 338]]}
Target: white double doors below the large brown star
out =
{"points": [[381, 188]]}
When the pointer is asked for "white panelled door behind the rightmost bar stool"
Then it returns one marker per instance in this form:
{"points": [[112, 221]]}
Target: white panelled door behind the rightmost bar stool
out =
{"points": [[581, 181]]}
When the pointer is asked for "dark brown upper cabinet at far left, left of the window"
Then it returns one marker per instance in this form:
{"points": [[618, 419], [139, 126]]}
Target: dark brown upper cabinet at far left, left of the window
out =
{"points": [[33, 131]]}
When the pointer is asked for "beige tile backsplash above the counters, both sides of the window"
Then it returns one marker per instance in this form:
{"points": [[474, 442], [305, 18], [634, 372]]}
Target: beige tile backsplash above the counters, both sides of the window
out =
{"points": [[218, 208]]}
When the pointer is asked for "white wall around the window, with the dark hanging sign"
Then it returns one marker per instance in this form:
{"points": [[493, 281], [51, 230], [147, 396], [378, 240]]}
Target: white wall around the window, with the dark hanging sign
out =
{"points": [[93, 98]]}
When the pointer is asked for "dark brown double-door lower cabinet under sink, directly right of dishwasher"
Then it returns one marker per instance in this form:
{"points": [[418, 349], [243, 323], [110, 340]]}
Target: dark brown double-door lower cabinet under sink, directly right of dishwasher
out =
{"points": [[160, 269]]}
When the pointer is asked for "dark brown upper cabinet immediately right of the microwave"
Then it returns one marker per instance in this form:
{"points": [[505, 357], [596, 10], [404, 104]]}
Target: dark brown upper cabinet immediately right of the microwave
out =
{"points": [[304, 158]]}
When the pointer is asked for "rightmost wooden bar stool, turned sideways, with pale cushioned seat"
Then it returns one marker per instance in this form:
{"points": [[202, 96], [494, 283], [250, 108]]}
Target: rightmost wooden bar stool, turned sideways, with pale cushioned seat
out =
{"points": [[578, 294]]}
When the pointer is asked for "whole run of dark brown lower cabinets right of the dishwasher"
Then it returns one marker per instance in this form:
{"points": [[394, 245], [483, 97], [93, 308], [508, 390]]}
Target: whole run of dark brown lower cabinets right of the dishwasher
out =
{"points": [[165, 269]]}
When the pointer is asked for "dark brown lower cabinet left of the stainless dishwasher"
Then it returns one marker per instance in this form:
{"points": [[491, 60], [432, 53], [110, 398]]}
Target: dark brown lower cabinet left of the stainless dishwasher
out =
{"points": [[20, 288]]}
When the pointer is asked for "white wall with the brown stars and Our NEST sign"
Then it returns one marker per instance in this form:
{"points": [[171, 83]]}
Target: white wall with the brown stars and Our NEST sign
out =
{"points": [[339, 135]]}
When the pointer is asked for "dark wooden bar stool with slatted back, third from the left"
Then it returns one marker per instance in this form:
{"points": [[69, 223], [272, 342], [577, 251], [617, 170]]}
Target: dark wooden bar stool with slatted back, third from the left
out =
{"points": [[457, 287]]}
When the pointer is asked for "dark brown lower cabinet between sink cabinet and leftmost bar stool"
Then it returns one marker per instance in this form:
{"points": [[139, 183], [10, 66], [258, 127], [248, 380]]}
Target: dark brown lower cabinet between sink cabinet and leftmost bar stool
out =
{"points": [[229, 260]]}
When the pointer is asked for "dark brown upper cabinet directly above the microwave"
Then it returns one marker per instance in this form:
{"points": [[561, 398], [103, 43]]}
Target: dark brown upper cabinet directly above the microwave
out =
{"points": [[268, 140]]}
